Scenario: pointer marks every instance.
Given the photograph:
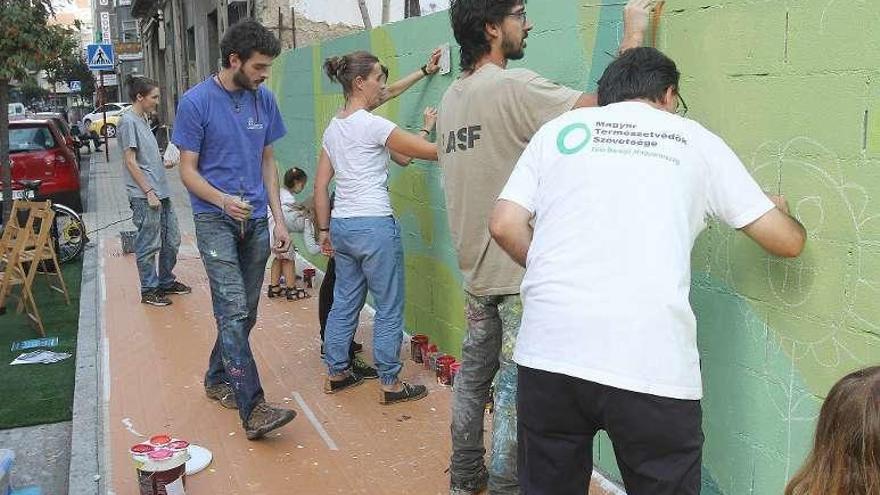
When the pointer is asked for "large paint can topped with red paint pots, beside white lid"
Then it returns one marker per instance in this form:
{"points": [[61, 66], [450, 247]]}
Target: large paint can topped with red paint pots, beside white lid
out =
{"points": [[161, 465]]}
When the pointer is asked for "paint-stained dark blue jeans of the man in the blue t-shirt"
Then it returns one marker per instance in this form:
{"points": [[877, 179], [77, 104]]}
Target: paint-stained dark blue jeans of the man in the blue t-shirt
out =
{"points": [[235, 265]]}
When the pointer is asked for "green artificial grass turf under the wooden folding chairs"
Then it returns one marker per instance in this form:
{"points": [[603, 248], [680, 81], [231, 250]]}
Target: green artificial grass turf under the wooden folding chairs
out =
{"points": [[34, 394]]}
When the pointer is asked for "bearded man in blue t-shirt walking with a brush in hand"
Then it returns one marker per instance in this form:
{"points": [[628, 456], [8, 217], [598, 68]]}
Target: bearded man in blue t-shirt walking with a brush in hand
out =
{"points": [[225, 128]]}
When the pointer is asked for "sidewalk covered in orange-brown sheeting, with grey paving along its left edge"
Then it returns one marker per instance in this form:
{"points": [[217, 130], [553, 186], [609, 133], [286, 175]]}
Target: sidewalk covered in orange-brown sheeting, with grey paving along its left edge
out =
{"points": [[140, 372]]}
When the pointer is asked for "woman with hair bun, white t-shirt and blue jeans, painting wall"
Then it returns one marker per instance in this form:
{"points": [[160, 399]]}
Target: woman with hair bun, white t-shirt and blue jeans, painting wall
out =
{"points": [[366, 238]]}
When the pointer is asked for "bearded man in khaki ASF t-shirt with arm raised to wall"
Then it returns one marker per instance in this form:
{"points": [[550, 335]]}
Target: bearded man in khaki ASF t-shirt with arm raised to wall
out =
{"points": [[486, 119]]}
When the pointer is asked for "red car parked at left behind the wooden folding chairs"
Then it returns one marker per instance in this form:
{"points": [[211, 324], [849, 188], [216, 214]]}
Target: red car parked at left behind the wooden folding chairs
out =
{"points": [[39, 151]]}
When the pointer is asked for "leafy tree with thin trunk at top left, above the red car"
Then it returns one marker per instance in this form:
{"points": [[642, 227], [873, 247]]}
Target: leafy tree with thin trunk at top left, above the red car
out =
{"points": [[27, 42]]}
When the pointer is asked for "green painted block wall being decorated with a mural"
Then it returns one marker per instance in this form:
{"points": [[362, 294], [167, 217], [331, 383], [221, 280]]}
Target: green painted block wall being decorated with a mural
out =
{"points": [[794, 87]]}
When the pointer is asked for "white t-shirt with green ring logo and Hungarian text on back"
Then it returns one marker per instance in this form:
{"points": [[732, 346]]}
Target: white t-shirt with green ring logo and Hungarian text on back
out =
{"points": [[619, 195]]}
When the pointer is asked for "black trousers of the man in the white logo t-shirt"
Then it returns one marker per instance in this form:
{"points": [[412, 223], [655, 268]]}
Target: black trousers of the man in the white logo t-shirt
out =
{"points": [[658, 441]]}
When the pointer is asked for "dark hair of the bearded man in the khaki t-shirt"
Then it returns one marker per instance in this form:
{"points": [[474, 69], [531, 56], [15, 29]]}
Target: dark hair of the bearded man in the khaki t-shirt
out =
{"points": [[469, 19]]}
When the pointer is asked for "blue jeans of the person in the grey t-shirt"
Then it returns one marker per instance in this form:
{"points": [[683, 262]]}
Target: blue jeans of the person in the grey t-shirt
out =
{"points": [[158, 233]]}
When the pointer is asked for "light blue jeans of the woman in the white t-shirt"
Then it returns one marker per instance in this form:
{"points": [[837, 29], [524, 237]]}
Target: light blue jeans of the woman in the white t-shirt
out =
{"points": [[369, 256]]}
